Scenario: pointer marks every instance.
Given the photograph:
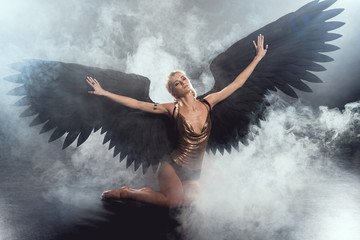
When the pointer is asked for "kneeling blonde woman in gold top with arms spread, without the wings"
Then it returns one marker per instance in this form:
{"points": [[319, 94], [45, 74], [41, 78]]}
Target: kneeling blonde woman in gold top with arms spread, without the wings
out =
{"points": [[178, 177]]}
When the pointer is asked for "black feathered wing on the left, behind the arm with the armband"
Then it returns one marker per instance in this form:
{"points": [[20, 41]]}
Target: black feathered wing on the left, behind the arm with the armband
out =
{"points": [[58, 94]]}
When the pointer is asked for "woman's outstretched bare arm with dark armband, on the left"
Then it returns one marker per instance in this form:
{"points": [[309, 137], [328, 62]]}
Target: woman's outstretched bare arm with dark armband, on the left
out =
{"points": [[163, 108]]}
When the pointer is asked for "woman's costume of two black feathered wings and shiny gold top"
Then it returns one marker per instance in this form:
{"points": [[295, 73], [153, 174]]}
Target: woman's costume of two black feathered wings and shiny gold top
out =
{"points": [[57, 94]]}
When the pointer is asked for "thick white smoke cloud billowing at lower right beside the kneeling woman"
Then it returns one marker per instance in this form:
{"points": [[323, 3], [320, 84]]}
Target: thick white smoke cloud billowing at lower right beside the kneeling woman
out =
{"points": [[287, 184]]}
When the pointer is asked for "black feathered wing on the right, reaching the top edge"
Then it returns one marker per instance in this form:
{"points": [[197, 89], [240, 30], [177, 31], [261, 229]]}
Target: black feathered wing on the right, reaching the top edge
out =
{"points": [[296, 41]]}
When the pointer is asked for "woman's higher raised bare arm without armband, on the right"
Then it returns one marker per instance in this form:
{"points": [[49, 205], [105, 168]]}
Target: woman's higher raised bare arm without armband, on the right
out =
{"points": [[239, 81]]}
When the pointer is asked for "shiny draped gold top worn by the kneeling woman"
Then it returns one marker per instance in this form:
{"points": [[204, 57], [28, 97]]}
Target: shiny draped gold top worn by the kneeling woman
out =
{"points": [[191, 145]]}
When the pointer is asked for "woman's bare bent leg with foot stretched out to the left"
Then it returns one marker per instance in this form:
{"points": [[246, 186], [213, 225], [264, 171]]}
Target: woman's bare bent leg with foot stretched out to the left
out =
{"points": [[170, 194]]}
